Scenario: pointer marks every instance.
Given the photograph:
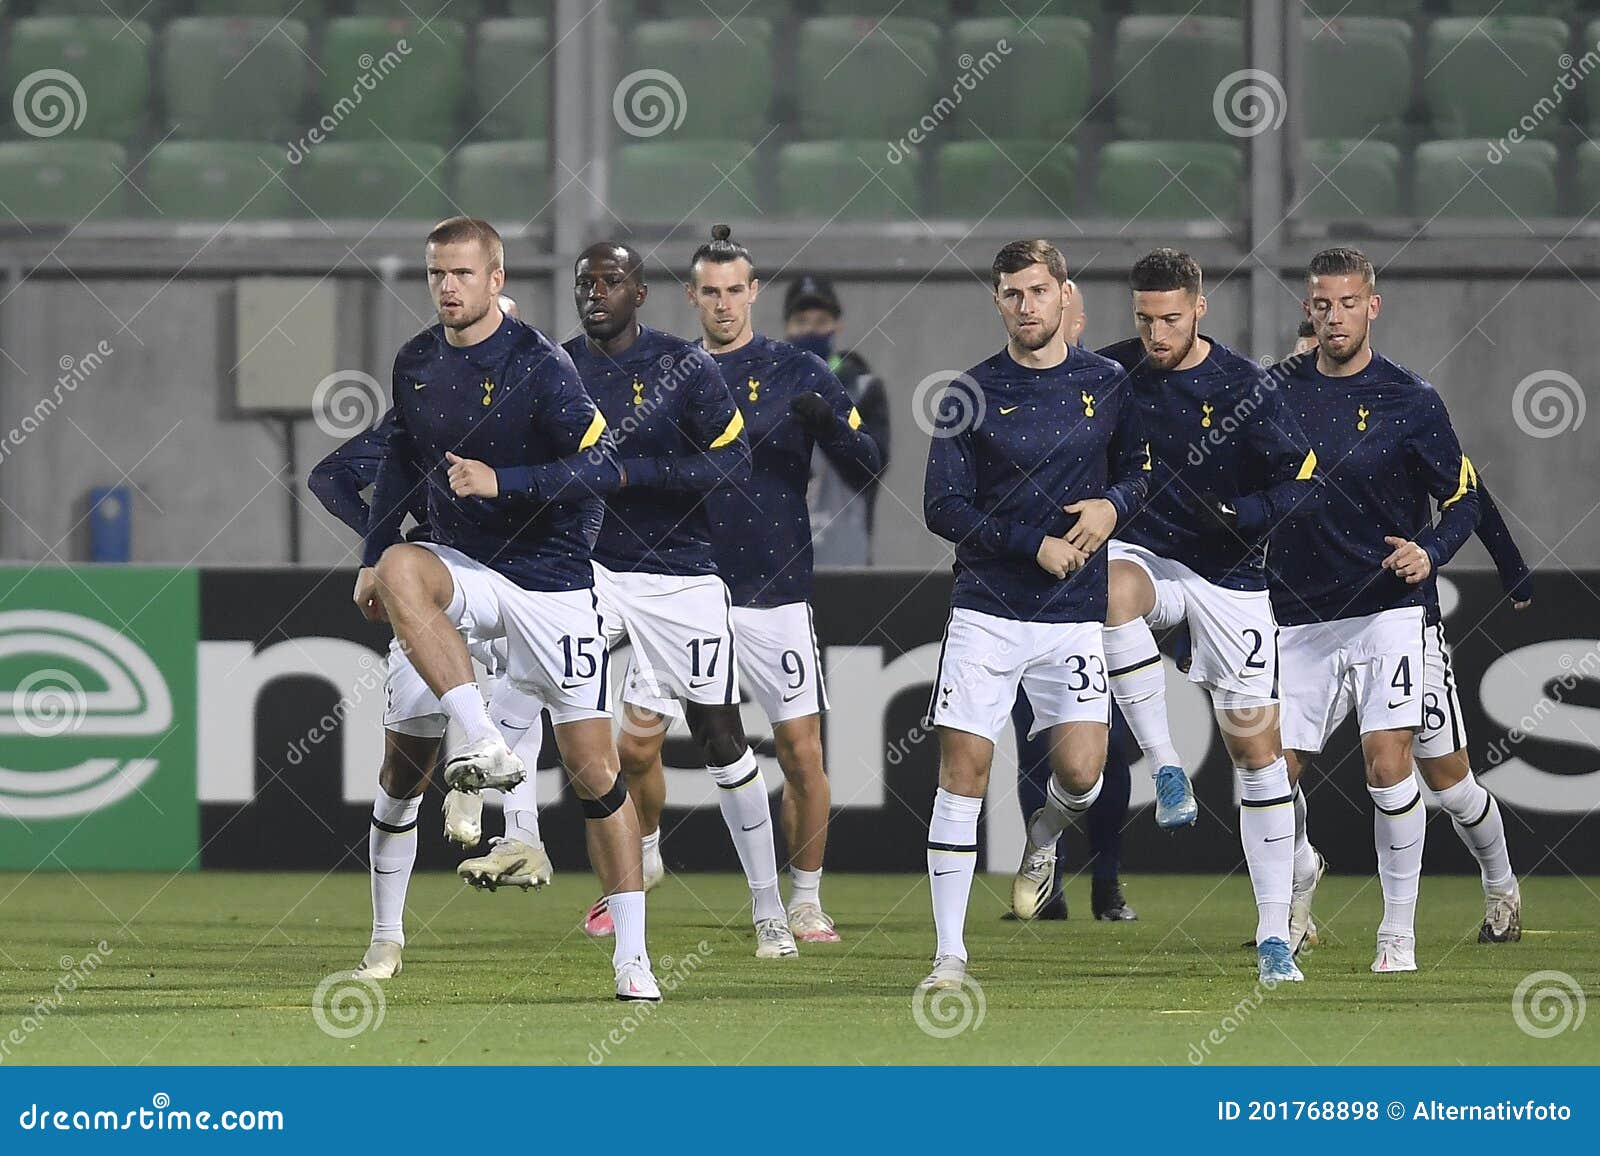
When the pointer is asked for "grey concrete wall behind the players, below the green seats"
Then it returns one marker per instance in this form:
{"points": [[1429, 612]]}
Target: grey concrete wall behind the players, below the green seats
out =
{"points": [[210, 492]]}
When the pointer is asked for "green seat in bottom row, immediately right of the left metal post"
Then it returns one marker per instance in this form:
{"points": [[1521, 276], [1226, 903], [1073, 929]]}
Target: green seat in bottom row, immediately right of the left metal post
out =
{"points": [[681, 180]]}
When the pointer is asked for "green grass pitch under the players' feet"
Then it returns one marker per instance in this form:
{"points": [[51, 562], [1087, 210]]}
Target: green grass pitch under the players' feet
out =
{"points": [[223, 969]]}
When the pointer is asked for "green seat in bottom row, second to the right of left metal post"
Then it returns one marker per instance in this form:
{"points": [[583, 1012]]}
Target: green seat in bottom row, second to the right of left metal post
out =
{"points": [[834, 180]]}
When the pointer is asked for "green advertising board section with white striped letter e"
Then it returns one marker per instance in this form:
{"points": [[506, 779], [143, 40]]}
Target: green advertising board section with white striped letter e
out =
{"points": [[98, 718]]}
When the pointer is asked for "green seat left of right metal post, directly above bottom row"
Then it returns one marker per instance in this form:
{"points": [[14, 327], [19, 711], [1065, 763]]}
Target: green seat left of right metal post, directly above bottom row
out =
{"points": [[1169, 71]]}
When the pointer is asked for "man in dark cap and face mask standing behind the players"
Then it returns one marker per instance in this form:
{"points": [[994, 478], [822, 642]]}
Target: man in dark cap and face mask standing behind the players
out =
{"points": [[841, 512]]}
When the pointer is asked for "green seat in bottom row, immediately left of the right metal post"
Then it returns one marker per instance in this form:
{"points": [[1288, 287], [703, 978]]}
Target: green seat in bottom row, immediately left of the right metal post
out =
{"points": [[1170, 182]]}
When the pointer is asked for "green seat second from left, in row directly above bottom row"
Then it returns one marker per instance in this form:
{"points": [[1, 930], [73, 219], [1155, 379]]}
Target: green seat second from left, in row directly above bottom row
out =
{"points": [[257, 65]]}
